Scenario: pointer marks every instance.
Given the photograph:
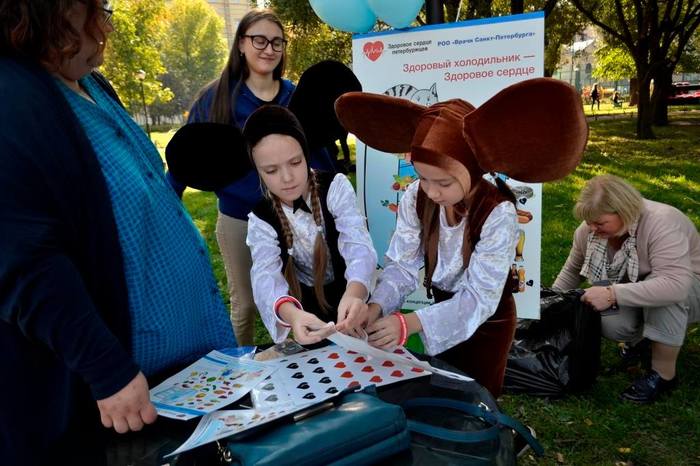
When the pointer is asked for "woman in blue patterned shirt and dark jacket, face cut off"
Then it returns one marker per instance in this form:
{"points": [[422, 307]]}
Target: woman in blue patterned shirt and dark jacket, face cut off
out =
{"points": [[105, 282]]}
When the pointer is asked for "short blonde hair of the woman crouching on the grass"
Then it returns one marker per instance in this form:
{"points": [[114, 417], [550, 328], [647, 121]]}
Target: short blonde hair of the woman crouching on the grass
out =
{"points": [[609, 194]]}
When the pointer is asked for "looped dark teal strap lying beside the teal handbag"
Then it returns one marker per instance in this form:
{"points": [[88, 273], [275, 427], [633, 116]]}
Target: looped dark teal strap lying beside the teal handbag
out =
{"points": [[496, 421]]}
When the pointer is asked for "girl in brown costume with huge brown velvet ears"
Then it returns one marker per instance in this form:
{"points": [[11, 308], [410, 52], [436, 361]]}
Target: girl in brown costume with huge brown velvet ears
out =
{"points": [[458, 225]]}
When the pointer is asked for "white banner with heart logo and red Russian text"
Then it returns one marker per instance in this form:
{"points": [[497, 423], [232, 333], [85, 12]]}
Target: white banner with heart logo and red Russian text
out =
{"points": [[470, 60]]}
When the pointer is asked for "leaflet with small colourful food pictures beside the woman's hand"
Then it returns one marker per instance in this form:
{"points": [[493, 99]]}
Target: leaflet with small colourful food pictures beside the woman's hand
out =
{"points": [[208, 384]]}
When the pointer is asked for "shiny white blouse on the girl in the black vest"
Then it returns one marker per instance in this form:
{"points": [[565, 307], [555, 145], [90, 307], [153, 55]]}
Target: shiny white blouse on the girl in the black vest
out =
{"points": [[354, 245]]}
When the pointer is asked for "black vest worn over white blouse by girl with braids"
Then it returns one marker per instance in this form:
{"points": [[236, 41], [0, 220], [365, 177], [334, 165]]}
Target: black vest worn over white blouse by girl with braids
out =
{"points": [[333, 290]]}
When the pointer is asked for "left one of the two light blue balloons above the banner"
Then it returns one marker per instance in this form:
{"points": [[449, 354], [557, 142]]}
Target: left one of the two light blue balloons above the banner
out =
{"points": [[345, 15]]}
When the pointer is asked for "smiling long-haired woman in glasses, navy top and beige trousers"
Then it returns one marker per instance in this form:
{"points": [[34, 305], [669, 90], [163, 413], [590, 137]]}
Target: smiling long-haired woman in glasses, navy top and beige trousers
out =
{"points": [[252, 78]]}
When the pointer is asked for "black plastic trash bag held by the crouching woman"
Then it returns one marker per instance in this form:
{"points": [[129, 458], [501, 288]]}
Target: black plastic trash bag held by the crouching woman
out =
{"points": [[558, 354]]}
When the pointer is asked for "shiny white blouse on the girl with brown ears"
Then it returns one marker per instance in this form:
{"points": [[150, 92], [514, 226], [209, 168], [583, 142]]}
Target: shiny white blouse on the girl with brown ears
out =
{"points": [[477, 289]]}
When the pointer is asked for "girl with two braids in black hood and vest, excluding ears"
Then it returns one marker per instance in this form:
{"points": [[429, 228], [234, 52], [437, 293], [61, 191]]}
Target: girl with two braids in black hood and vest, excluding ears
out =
{"points": [[313, 258]]}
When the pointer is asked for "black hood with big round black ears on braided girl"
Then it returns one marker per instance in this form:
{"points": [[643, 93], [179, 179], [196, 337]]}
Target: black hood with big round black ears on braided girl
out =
{"points": [[210, 156]]}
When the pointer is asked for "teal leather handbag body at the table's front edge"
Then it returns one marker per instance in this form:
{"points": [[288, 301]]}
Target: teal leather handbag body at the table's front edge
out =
{"points": [[358, 429]]}
